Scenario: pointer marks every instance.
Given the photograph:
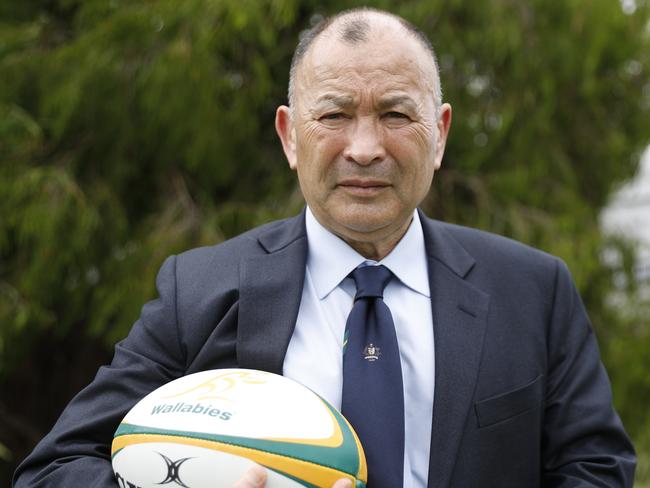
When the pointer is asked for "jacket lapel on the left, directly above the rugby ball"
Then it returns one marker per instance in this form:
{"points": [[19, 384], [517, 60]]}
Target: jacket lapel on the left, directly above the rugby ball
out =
{"points": [[270, 292]]}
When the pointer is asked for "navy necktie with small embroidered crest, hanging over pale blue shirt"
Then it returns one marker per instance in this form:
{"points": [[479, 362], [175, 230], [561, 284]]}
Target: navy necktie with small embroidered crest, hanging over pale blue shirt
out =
{"points": [[373, 396]]}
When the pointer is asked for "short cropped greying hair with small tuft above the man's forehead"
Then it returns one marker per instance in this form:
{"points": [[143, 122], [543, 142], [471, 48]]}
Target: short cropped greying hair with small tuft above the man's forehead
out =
{"points": [[354, 30]]}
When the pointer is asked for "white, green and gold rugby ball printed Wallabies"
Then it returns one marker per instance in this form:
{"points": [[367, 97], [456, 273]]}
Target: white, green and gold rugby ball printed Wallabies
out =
{"points": [[205, 429]]}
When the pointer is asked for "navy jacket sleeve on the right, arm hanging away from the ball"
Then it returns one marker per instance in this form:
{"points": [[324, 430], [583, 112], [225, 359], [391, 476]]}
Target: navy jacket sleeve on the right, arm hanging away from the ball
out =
{"points": [[583, 440]]}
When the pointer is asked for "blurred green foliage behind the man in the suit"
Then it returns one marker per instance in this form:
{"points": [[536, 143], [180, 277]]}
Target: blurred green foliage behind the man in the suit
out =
{"points": [[132, 129]]}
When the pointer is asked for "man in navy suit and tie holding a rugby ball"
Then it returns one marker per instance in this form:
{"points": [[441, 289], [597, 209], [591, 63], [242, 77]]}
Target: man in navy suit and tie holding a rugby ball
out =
{"points": [[502, 383]]}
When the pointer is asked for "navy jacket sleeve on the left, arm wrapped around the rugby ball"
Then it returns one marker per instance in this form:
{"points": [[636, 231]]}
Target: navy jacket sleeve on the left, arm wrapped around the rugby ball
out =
{"points": [[77, 450]]}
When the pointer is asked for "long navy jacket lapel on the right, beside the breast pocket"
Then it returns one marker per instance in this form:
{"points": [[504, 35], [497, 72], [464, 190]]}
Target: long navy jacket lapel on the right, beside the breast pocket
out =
{"points": [[459, 316]]}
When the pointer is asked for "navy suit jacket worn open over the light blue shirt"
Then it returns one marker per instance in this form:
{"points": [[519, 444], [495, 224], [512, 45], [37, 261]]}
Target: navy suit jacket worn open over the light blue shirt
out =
{"points": [[521, 397]]}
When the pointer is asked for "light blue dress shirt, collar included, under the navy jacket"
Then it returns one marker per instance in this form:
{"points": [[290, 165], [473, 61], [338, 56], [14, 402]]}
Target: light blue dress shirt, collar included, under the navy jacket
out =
{"points": [[314, 357]]}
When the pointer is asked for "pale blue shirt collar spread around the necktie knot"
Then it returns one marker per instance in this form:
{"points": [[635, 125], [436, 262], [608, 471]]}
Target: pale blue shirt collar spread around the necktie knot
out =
{"points": [[331, 259]]}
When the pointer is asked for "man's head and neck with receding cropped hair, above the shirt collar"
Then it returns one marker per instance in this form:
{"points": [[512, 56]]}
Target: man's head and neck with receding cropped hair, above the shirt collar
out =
{"points": [[366, 128]]}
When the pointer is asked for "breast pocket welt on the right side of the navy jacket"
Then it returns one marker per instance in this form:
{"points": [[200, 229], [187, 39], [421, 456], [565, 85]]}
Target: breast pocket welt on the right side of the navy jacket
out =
{"points": [[510, 404]]}
